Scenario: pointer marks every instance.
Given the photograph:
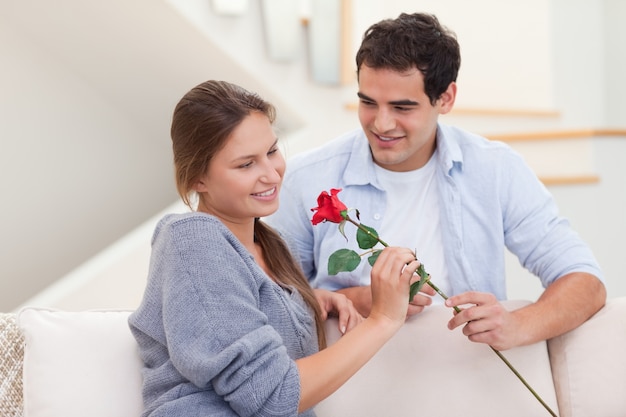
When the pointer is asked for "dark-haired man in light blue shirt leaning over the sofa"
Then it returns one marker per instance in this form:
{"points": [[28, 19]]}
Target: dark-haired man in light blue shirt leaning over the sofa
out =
{"points": [[456, 198]]}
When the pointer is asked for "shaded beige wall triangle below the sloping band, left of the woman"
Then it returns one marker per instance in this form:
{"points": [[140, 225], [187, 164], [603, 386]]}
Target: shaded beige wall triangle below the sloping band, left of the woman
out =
{"points": [[76, 173]]}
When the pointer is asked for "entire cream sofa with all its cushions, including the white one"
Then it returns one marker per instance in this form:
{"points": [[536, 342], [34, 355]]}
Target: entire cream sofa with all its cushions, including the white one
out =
{"points": [[77, 364]]}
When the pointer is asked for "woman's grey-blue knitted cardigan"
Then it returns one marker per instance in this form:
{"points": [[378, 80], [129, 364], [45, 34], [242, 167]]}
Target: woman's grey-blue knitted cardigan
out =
{"points": [[217, 336]]}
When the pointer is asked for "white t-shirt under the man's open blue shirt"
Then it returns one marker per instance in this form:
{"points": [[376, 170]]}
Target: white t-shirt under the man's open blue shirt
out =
{"points": [[412, 218]]}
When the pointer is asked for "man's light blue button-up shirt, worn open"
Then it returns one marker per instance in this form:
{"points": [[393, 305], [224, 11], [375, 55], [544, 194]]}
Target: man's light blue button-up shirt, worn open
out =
{"points": [[489, 200]]}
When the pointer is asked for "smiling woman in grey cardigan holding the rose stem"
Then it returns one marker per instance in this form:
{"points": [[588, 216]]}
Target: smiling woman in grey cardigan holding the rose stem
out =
{"points": [[229, 324]]}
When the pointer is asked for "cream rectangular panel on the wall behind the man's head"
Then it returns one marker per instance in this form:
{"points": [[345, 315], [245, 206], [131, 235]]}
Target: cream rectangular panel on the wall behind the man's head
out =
{"points": [[505, 53]]}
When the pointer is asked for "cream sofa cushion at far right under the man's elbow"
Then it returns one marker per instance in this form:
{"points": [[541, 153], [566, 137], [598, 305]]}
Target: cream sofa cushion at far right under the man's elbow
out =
{"points": [[589, 364]]}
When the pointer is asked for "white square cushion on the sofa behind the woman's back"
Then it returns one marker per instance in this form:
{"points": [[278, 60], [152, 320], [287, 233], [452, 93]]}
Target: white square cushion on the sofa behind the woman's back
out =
{"points": [[79, 364]]}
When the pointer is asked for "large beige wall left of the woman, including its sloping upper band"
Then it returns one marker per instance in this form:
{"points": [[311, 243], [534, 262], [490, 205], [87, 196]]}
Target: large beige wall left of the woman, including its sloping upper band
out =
{"points": [[88, 88]]}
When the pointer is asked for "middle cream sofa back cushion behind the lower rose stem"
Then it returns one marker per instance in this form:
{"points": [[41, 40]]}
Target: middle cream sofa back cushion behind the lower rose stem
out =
{"points": [[428, 370]]}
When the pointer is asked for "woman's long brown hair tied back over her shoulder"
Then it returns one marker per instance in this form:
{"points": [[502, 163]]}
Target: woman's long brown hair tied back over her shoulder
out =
{"points": [[203, 121]]}
